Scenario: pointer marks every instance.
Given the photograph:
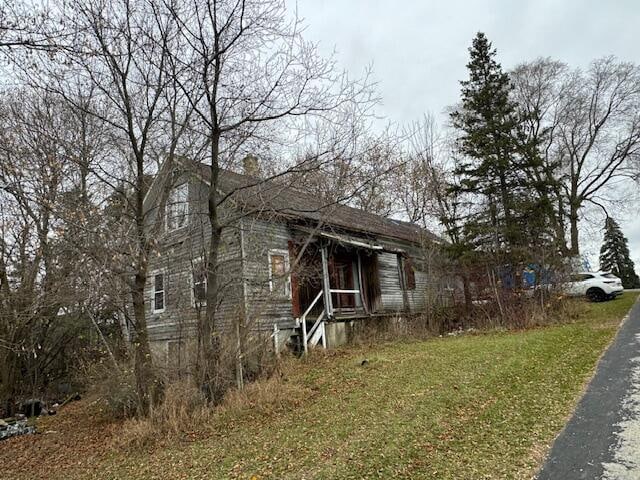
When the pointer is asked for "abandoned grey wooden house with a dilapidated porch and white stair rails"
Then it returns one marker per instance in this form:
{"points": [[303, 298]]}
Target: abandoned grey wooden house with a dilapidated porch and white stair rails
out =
{"points": [[291, 266]]}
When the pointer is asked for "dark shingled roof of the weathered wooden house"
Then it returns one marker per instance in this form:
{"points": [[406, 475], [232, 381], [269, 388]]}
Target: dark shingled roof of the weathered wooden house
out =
{"points": [[278, 196]]}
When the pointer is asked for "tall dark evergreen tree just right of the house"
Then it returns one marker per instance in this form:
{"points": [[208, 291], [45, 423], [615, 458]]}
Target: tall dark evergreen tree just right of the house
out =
{"points": [[497, 157]]}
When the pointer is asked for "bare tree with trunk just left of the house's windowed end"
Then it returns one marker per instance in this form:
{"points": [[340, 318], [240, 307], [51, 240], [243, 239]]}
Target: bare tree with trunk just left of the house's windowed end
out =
{"points": [[117, 51]]}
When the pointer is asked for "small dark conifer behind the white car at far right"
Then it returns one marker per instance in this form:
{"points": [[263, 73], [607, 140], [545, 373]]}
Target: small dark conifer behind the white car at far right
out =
{"points": [[615, 257]]}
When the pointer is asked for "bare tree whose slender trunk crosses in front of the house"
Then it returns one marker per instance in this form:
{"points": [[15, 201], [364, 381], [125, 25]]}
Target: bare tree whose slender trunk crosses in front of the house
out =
{"points": [[245, 68]]}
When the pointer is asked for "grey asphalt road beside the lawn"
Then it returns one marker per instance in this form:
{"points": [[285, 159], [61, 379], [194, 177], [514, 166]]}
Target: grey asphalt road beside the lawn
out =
{"points": [[602, 439]]}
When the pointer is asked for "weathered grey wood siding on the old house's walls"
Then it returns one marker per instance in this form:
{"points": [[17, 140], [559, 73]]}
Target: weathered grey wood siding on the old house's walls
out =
{"points": [[244, 270]]}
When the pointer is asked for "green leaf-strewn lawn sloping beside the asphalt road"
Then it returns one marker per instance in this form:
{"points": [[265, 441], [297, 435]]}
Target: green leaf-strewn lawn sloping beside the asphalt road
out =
{"points": [[471, 406]]}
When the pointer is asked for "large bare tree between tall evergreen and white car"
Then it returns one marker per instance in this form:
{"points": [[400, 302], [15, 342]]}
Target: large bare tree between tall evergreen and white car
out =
{"points": [[588, 124]]}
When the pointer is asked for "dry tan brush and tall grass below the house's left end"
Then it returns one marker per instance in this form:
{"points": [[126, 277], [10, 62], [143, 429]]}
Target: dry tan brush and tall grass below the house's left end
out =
{"points": [[245, 371]]}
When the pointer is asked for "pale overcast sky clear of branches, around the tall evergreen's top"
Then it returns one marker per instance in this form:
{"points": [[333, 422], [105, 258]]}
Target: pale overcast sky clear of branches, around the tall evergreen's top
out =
{"points": [[418, 49]]}
